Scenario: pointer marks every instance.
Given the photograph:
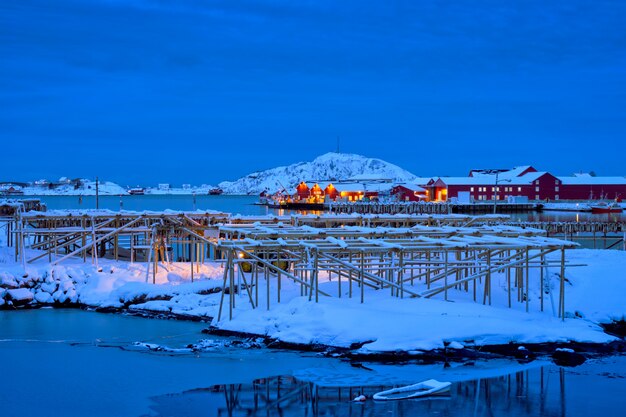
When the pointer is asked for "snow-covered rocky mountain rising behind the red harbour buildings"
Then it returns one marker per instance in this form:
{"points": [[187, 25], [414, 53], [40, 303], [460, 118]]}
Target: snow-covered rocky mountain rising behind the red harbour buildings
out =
{"points": [[330, 166]]}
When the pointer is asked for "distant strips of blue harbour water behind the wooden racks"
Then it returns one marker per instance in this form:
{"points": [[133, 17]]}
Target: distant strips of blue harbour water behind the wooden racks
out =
{"points": [[245, 205]]}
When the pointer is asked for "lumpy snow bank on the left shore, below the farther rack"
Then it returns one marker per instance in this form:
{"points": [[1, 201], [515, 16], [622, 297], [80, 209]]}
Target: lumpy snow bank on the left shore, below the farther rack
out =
{"points": [[111, 284]]}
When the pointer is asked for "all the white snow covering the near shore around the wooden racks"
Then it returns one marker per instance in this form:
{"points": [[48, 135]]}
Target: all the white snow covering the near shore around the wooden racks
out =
{"points": [[594, 293]]}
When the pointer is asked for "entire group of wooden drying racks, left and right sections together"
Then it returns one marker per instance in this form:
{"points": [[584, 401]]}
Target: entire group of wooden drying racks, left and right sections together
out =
{"points": [[408, 256]]}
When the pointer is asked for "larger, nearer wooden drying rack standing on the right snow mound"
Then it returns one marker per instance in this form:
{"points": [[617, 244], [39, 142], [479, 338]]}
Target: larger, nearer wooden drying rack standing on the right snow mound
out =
{"points": [[442, 259]]}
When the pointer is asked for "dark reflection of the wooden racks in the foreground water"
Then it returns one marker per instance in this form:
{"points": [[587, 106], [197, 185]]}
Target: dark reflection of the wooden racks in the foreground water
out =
{"points": [[533, 392]]}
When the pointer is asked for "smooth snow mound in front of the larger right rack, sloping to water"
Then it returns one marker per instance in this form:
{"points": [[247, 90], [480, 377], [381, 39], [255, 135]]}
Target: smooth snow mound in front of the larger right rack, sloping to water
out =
{"points": [[387, 325]]}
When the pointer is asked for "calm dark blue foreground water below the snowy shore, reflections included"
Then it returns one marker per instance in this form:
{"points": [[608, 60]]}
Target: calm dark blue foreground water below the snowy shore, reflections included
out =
{"points": [[77, 363]]}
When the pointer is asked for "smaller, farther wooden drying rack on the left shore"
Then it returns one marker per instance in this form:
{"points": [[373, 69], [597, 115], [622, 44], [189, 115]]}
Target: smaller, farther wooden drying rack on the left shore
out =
{"points": [[61, 235]]}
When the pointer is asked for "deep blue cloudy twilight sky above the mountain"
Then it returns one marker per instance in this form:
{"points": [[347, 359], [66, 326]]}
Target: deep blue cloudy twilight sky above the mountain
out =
{"points": [[145, 91]]}
